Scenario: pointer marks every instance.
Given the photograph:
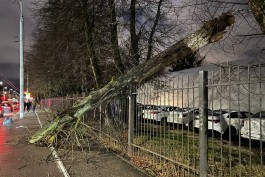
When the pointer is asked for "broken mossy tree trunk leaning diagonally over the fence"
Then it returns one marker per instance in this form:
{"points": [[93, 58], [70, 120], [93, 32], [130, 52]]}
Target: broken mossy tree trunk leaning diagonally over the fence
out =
{"points": [[211, 31]]}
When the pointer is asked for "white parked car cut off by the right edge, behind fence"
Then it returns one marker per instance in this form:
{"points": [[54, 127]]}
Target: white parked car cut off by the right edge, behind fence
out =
{"points": [[254, 127]]}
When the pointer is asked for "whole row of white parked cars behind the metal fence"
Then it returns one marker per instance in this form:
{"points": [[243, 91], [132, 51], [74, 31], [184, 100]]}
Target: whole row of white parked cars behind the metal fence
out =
{"points": [[219, 121]]}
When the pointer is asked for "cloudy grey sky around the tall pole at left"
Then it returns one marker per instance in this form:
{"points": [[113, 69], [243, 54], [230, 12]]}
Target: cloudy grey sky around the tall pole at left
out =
{"points": [[9, 34]]}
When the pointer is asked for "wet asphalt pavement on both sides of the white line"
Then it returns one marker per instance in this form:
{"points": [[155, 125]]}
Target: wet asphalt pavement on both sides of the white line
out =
{"points": [[20, 159]]}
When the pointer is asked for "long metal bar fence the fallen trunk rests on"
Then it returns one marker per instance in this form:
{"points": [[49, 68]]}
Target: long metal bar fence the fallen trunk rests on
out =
{"points": [[187, 124]]}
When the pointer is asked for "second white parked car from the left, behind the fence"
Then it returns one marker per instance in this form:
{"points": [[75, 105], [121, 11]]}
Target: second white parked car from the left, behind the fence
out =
{"points": [[182, 115]]}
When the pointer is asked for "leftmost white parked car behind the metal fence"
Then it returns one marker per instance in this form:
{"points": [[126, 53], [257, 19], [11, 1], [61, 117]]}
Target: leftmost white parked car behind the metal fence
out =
{"points": [[156, 113]]}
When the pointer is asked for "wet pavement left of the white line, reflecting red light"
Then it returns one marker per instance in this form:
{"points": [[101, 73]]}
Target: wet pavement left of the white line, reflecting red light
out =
{"points": [[17, 157]]}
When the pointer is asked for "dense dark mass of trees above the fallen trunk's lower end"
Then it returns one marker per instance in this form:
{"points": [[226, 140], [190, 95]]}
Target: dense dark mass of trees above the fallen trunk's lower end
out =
{"points": [[63, 31]]}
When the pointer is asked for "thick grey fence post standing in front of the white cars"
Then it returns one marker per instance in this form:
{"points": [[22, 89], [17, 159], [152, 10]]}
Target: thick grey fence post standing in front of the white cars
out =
{"points": [[203, 105]]}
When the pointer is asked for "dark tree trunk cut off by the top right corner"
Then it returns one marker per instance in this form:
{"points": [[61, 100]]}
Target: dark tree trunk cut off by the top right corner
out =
{"points": [[258, 10]]}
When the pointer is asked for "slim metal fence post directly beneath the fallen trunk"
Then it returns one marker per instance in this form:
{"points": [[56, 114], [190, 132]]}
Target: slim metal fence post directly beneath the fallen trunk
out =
{"points": [[132, 100]]}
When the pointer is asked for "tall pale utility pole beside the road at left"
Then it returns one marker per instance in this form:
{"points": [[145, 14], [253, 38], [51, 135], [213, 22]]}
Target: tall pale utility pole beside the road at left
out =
{"points": [[21, 40]]}
